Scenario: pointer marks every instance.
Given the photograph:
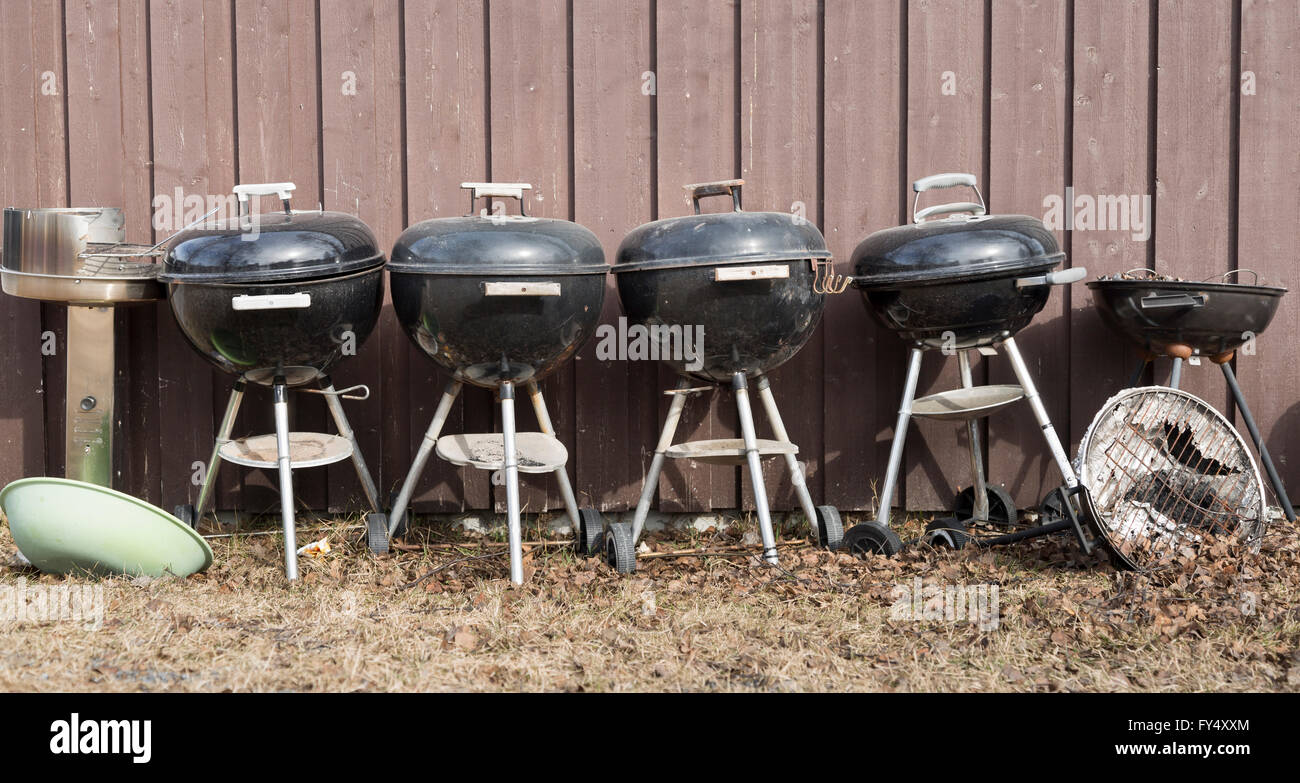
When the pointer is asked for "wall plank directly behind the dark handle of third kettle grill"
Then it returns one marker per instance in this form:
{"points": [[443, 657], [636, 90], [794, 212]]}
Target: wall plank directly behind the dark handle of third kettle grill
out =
{"points": [[697, 132]]}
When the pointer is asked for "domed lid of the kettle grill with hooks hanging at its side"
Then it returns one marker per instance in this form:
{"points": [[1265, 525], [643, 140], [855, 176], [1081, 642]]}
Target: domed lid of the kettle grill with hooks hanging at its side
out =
{"points": [[723, 239]]}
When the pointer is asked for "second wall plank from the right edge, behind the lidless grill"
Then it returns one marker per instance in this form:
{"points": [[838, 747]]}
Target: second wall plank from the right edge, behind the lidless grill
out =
{"points": [[1195, 84]]}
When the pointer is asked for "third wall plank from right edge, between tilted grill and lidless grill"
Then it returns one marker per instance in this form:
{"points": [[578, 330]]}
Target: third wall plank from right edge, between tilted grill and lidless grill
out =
{"points": [[1112, 155]]}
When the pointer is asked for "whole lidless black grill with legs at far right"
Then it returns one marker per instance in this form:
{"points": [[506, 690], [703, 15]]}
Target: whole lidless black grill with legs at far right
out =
{"points": [[1190, 321]]}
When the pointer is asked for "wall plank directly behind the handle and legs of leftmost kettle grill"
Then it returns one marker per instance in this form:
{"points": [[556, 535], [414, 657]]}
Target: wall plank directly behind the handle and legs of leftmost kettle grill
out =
{"points": [[279, 141]]}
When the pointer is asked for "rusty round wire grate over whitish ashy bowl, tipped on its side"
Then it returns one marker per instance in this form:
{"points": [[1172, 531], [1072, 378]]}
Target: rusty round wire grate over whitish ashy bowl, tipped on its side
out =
{"points": [[1165, 474]]}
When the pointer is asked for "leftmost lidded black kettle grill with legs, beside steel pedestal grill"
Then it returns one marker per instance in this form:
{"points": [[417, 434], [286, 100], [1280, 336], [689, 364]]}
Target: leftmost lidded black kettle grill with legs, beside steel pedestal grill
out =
{"points": [[278, 300]]}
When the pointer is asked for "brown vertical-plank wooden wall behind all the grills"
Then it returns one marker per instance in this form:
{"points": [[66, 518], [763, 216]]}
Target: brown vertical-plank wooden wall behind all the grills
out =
{"points": [[608, 109]]}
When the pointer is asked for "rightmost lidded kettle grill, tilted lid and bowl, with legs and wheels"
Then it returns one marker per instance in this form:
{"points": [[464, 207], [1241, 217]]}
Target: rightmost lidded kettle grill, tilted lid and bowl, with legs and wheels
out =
{"points": [[959, 280]]}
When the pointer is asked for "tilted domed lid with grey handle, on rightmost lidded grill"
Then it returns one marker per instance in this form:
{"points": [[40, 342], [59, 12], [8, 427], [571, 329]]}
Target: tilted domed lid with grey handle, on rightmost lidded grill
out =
{"points": [[967, 244]]}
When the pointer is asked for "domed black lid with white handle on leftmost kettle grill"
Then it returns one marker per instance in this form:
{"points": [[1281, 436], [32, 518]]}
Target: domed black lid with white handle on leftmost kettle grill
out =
{"points": [[275, 246]]}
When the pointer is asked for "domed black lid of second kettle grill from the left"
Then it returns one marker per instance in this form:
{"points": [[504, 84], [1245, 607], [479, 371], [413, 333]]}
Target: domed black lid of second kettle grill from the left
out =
{"points": [[499, 244]]}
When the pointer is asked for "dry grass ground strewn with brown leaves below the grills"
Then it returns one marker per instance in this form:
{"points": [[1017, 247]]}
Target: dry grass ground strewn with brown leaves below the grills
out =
{"points": [[440, 616]]}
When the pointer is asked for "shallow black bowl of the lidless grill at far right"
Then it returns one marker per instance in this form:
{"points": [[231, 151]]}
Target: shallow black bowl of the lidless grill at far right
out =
{"points": [[1230, 315]]}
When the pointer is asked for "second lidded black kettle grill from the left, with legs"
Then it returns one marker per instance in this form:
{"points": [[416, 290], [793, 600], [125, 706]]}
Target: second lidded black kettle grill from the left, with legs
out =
{"points": [[496, 301]]}
